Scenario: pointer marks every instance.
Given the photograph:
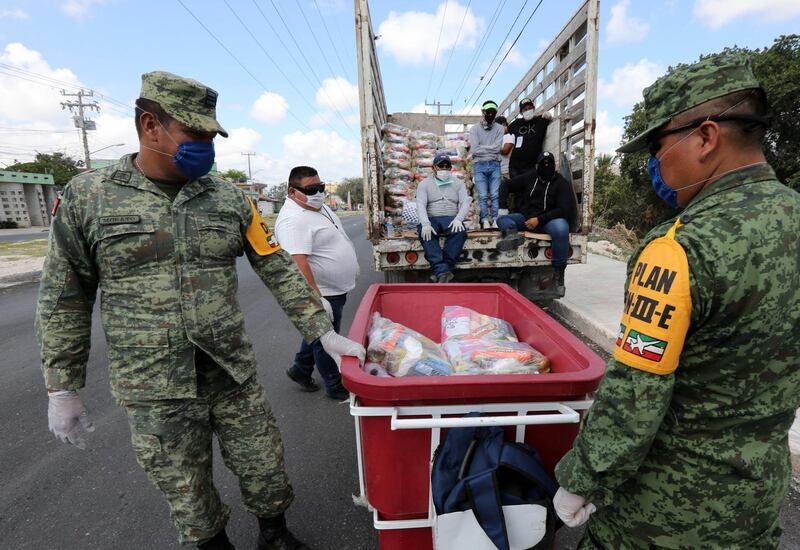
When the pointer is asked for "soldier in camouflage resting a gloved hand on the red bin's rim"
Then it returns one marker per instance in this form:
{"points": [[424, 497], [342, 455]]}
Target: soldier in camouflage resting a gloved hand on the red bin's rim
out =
{"points": [[160, 238]]}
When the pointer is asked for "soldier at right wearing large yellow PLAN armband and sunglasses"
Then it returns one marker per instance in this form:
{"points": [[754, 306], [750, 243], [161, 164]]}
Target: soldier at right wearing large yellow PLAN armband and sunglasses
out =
{"points": [[686, 444]]}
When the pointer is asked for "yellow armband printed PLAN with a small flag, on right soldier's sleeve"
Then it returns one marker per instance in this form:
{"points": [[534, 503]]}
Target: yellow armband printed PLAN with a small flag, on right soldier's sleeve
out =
{"points": [[658, 308]]}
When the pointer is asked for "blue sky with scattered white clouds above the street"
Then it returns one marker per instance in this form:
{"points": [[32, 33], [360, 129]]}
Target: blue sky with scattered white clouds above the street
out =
{"points": [[300, 106]]}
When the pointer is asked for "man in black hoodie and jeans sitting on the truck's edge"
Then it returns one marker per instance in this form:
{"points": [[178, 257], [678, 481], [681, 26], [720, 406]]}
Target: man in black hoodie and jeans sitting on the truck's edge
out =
{"points": [[544, 203]]}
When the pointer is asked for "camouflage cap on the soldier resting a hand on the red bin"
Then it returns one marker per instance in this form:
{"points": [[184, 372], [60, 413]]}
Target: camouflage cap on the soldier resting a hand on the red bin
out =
{"points": [[188, 101]]}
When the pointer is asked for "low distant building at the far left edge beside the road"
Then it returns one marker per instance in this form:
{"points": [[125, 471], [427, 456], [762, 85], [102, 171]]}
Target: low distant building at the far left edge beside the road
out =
{"points": [[26, 198]]}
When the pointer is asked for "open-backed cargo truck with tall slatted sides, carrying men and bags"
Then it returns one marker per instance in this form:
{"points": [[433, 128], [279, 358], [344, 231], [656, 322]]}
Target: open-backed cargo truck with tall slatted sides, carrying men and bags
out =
{"points": [[563, 81]]}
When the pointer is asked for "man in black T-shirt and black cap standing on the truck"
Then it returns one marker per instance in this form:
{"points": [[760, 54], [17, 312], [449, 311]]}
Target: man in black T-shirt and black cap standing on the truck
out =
{"points": [[528, 133]]}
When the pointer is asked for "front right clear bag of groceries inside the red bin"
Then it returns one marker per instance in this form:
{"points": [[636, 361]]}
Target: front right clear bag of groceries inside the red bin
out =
{"points": [[470, 355]]}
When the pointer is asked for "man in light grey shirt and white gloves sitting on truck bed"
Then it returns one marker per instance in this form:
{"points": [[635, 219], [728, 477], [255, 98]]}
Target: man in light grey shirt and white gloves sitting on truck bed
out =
{"points": [[442, 205]]}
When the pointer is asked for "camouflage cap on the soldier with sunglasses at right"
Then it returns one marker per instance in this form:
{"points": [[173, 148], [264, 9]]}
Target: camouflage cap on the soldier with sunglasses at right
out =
{"points": [[689, 86]]}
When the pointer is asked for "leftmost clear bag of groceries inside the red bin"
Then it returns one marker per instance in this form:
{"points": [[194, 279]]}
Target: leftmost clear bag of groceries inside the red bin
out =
{"points": [[404, 352]]}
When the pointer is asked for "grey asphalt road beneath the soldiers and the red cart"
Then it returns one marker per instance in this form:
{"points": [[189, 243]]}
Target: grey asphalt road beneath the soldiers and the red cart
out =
{"points": [[54, 496]]}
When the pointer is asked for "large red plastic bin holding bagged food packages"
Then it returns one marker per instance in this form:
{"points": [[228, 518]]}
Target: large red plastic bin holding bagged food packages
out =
{"points": [[396, 474]]}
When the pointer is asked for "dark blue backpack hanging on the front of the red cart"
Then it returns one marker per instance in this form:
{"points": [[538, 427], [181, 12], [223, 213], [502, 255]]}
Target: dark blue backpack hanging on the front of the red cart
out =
{"points": [[476, 469]]}
